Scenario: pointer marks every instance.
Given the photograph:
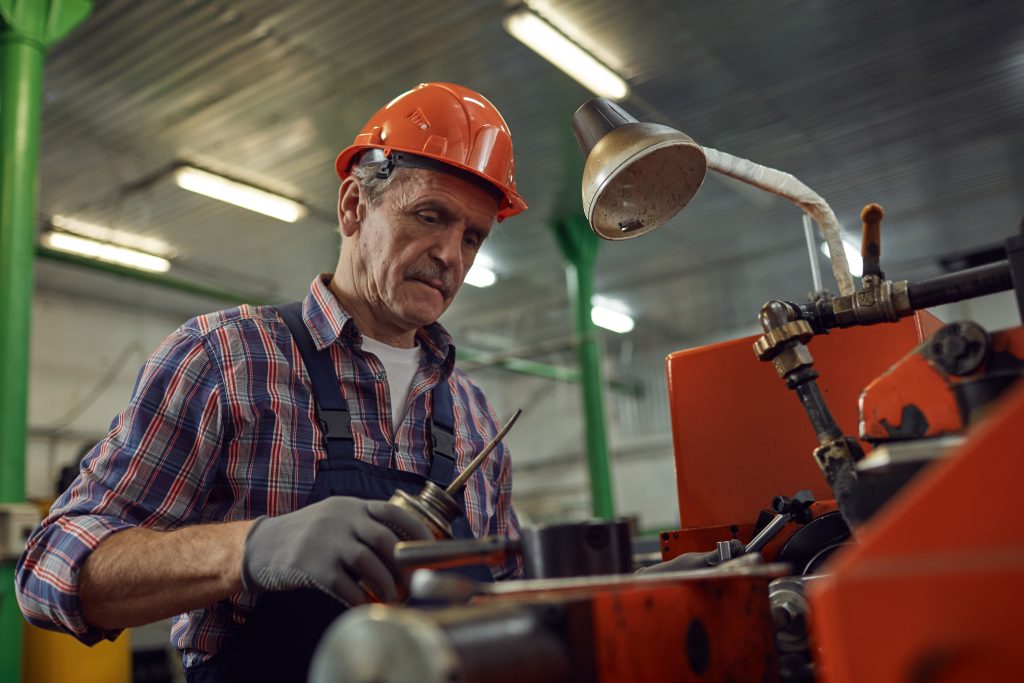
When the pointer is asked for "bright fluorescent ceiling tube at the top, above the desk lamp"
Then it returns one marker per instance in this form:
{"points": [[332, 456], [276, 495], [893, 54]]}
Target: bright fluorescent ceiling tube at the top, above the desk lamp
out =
{"points": [[551, 45]]}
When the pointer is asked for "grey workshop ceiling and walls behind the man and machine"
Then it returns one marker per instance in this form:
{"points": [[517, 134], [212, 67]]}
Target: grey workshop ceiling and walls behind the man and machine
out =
{"points": [[916, 106]]}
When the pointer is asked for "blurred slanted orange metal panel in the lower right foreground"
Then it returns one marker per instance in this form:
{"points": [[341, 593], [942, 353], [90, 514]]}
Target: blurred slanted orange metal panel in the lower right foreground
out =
{"points": [[932, 591]]}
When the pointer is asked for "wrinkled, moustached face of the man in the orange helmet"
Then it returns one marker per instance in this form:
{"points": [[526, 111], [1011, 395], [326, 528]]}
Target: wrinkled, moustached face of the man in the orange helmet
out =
{"points": [[417, 244]]}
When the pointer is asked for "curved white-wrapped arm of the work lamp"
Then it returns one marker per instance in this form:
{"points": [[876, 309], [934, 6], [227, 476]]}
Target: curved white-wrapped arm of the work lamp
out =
{"points": [[792, 189]]}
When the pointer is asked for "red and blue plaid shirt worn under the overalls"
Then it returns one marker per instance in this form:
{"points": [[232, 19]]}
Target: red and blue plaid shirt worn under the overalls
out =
{"points": [[221, 429]]}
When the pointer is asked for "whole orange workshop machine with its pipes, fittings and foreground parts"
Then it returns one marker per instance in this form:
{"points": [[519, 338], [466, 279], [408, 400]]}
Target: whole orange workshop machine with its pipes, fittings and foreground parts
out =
{"points": [[895, 552]]}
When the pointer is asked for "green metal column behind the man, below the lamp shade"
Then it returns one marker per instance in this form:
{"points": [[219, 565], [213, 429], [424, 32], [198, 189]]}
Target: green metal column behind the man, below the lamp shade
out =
{"points": [[580, 247]]}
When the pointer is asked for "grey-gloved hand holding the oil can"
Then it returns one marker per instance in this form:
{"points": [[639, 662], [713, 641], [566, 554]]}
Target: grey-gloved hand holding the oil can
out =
{"points": [[333, 546]]}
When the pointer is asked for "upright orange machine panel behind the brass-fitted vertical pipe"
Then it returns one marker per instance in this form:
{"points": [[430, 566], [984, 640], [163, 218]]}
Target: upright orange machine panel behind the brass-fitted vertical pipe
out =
{"points": [[734, 456]]}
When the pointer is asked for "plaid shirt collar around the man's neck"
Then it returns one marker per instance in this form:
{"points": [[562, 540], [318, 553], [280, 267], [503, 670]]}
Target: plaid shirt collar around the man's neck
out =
{"points": [[329, 323]]}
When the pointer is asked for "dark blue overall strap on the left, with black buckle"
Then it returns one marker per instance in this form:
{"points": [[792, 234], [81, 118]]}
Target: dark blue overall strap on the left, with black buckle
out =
{"points": [[332, 410]]}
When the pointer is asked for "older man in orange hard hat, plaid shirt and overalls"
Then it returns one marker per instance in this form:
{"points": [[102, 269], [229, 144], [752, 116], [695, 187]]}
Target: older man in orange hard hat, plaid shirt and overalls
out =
{"points": [[243, 489]]}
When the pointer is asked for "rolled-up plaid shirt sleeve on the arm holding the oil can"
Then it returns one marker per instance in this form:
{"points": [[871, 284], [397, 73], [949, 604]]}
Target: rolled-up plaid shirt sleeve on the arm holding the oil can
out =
{"points": [[154, 469]]}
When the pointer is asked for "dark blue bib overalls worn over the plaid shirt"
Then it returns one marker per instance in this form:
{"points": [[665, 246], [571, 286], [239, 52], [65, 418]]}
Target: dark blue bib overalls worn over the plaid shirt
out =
{"points": [[277, 642]]}
